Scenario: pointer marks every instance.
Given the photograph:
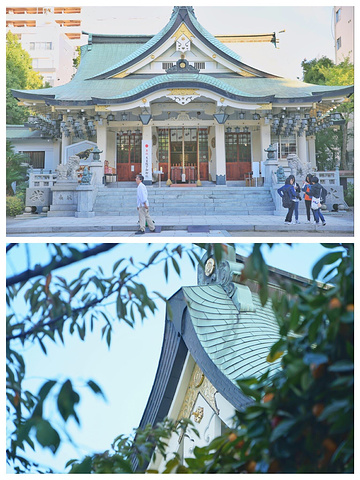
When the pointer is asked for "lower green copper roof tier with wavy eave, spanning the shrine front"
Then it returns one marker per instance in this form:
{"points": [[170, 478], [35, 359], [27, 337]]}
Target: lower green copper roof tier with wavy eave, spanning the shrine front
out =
{"points": [[239, 88]]}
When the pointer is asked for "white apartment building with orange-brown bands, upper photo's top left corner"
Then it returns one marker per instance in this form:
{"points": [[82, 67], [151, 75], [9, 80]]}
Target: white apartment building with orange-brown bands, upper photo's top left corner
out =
{"points": [[50, 35]]}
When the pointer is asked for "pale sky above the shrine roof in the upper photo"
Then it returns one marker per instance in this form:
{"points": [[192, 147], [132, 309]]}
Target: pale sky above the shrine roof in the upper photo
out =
{"points": [[308, 29]]}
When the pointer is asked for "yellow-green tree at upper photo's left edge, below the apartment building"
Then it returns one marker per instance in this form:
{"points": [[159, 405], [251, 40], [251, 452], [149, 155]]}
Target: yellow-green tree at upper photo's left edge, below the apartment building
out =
{"points": [[19, 75]]}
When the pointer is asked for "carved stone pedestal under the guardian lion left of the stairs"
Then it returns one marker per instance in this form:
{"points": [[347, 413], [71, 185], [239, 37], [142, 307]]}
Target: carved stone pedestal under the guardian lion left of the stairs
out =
{"points": [[64, 203]]}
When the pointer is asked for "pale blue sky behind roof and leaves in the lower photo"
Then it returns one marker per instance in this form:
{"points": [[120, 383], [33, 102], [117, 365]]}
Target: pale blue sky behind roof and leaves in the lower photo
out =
{"points": [[126, 371]]}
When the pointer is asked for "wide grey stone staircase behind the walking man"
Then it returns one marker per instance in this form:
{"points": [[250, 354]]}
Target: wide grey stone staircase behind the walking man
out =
{"points": [[209, 200]]}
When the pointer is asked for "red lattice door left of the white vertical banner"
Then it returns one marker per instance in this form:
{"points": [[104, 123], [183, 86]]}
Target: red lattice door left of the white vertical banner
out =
{"points": [[128, 155]]}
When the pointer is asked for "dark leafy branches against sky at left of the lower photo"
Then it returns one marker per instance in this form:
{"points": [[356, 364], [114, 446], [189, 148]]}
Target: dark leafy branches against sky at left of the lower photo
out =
{"points": [[56, 309]]}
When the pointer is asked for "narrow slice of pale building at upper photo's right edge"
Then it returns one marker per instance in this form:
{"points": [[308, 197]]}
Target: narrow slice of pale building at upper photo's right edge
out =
{"points": [[344, 33]]}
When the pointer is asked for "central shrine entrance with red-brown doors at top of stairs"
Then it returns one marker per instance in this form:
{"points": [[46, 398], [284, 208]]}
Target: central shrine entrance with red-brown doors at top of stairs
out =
{"points": [[183, 154]]}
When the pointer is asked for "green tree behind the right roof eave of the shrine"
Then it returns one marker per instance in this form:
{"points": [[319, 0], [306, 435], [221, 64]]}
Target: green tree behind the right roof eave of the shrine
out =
{"points": [[325, 72]]}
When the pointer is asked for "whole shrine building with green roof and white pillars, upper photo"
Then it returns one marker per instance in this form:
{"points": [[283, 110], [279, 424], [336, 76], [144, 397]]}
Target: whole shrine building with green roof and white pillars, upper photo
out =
{"points": [[181, 103]]}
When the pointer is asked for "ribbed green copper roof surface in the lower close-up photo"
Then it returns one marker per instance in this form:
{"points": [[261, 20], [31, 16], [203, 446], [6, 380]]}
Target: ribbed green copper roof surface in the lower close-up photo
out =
{"points": [[237, 342]]}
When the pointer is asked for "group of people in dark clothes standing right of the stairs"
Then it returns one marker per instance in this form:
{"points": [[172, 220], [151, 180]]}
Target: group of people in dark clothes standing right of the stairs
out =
{"points": [[314, 195]]}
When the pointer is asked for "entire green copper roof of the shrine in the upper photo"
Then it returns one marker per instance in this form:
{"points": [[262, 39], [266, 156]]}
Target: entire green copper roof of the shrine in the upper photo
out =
{"points": [[101, 59]]}
